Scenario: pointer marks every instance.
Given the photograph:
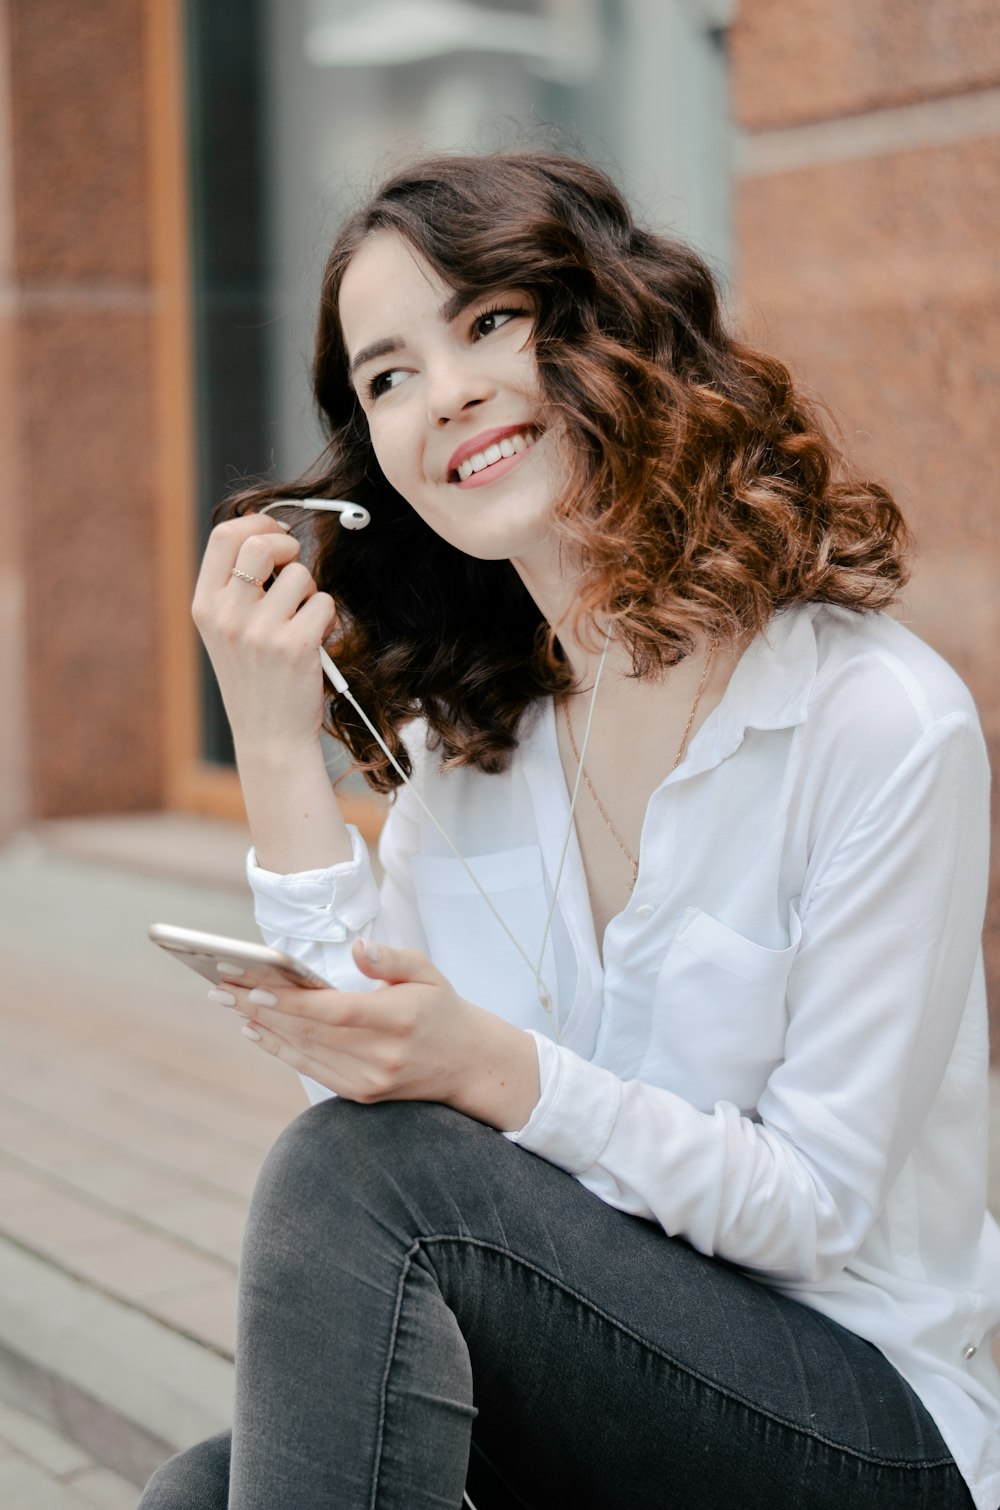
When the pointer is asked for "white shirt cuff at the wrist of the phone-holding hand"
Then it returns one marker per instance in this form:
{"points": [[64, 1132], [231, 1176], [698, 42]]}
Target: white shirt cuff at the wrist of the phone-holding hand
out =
{"points": [[576, 1112]]}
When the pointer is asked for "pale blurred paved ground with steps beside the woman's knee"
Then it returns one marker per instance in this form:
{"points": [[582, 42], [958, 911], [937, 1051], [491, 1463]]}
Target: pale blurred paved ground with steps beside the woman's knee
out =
{"points": [[134, 1120]]}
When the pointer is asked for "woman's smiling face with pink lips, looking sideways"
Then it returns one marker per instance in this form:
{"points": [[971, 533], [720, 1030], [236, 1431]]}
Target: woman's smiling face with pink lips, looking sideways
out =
{"points": [[451, 393]]}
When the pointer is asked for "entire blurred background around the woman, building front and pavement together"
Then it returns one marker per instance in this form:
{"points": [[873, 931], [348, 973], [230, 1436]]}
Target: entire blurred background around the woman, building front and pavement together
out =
{"points": [[171, 174]]}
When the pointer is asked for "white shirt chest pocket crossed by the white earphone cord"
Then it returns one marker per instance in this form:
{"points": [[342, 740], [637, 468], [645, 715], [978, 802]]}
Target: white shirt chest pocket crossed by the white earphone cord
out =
{"points": [[468, 943]]}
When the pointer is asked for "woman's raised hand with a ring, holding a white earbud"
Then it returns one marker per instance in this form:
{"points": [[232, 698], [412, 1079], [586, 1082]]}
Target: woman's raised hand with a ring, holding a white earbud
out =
{"points": [[264, 646]]}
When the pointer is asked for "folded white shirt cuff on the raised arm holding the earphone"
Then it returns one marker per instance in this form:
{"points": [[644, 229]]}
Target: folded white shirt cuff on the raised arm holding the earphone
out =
{"points": [[324, 905]]}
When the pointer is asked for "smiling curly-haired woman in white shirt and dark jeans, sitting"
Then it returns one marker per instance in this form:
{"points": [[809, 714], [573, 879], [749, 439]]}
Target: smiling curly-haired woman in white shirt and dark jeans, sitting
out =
{"points": [[727, 1005]]}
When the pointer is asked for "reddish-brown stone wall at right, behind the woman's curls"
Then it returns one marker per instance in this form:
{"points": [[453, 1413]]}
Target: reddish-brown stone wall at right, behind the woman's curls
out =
{"points": [[868, 227]]}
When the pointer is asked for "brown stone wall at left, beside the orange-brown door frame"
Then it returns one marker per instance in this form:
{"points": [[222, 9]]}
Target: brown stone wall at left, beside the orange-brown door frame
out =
{"points": [[79, 318]]}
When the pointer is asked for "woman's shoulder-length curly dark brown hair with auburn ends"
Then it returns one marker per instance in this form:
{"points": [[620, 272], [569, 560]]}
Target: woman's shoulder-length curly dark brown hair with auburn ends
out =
{"points": [[705, 493]]}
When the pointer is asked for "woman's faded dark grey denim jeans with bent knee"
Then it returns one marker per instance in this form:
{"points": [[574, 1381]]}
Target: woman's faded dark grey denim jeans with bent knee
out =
{"points": [[427, 1308]]}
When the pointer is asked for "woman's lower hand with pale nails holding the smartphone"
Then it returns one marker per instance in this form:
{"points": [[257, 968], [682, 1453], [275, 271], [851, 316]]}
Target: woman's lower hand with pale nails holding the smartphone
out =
{"points": [[412, 1040]]}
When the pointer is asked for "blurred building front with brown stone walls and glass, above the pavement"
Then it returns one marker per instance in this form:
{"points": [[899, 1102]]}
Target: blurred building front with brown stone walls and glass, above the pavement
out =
{"points": [[171, 174]]}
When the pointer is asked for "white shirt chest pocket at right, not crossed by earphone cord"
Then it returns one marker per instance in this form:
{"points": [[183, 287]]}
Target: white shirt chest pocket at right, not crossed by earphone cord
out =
{"points": [[720, 1015]]}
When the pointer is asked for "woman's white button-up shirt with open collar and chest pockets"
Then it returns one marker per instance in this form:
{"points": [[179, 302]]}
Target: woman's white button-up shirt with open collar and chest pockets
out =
{"points": [[780, 1053]]}
